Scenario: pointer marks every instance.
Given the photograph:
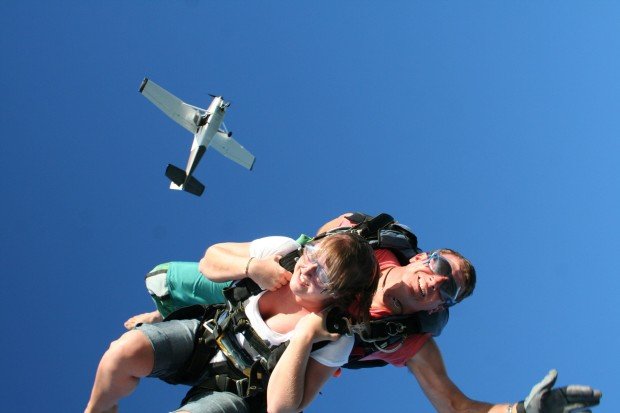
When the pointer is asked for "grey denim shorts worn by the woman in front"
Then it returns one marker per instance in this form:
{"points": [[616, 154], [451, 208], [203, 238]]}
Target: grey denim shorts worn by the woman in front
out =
{"points": [[173, 342]]}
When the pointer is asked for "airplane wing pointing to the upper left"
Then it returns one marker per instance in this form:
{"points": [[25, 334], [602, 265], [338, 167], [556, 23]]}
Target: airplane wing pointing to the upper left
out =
{"points": [[175, 108]]}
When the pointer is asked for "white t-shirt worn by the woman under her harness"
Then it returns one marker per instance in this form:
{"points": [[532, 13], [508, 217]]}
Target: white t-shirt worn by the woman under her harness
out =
{"points": [[334, 354]]}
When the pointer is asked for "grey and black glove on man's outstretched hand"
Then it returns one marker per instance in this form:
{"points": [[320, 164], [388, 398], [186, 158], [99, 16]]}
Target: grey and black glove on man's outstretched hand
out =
{"points": [[568, 399]]}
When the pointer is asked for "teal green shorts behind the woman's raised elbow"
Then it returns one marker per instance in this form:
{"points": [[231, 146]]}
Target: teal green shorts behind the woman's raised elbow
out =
{"points": [[174, 285]]}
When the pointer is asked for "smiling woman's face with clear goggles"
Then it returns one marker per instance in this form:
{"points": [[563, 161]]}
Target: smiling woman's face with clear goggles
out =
{"points": [[311, 276]]}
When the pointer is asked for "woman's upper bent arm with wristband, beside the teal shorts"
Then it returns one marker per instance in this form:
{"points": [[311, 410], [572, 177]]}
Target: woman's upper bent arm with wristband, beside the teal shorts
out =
{"points": [[234, 261]]}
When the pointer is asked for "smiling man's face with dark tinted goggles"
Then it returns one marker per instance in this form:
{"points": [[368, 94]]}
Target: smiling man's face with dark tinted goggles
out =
{"points": [[418, 286]]}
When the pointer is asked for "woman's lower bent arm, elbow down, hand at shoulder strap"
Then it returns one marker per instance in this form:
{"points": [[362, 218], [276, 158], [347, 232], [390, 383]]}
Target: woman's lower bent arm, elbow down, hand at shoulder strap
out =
{"points": [[297, 377]]}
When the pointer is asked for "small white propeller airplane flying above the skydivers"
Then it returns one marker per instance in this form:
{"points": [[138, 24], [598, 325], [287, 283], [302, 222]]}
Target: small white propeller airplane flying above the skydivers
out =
{"points": [[208, 129]]}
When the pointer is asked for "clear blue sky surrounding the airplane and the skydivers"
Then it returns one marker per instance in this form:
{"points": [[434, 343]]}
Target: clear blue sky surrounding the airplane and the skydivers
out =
{"points": [[489, 127]]}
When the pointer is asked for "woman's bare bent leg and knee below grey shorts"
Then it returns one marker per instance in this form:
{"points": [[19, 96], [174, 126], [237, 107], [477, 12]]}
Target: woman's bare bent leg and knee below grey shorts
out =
{"points": [[127, 360]]}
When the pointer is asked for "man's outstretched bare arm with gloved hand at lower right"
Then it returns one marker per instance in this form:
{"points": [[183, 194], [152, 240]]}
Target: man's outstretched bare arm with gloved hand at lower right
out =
{"points": [[428, 367]]}
